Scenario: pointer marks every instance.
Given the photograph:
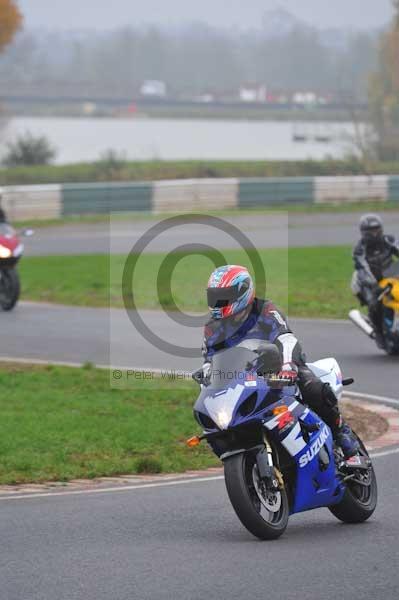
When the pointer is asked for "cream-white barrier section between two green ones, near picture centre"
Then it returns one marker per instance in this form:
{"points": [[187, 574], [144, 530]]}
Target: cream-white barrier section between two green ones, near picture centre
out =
{"points": [[195, 194]]}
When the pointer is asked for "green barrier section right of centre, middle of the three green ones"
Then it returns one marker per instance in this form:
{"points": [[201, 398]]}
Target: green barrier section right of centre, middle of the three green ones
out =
{"points": [[273, 190]]}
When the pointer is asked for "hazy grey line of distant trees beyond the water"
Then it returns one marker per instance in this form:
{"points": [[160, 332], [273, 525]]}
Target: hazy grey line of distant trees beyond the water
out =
{"points": [[192, 60]]}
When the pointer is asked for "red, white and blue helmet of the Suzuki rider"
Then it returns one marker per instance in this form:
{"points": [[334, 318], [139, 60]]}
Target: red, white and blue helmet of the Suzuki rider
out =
{"points": [[230, 291]]}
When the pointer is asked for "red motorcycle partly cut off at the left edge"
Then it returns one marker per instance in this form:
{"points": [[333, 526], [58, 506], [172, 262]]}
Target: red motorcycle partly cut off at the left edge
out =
{"points": [[11, 250]]}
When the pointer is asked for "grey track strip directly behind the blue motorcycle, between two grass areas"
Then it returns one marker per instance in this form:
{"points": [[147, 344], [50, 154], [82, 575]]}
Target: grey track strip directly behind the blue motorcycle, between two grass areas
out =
{"points": [[107, 337]]}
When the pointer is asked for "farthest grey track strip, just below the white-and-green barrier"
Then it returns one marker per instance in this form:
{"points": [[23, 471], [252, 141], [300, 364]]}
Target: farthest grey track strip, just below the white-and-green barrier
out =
{"points": [[267, 230]]}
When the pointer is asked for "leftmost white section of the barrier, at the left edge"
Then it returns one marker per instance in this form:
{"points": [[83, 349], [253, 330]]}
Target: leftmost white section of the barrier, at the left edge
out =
{"points": [[32, 202]]}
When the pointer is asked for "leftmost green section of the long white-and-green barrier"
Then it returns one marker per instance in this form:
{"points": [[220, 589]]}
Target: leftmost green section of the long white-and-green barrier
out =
{"points": [[94, 198]]}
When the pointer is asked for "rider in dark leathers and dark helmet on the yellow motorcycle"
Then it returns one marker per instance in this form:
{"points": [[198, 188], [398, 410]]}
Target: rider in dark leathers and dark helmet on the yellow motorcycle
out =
{"points": [[372, 255]]}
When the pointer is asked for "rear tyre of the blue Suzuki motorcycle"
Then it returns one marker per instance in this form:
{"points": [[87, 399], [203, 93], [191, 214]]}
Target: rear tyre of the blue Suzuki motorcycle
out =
{"points": [[360, 499]]}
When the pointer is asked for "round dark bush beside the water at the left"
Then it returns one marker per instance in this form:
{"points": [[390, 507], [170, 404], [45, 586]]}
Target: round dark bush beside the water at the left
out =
{"points": [[29, 150]]}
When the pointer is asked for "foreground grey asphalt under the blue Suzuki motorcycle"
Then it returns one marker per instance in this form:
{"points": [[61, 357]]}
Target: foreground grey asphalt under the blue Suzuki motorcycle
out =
{"points": [[185, 543]]}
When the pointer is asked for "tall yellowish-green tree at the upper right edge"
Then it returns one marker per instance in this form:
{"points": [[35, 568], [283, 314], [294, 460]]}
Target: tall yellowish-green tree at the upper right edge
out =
{"points": [[384, 92]]}
